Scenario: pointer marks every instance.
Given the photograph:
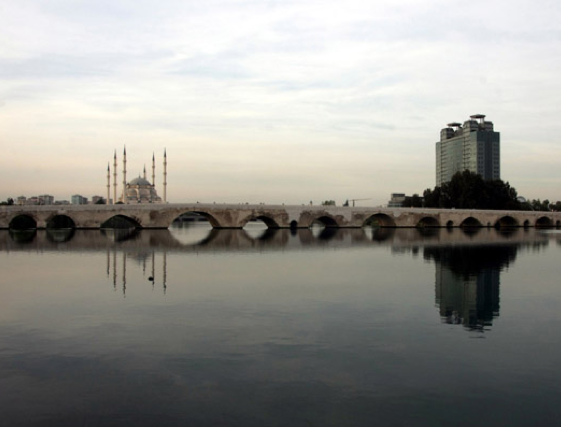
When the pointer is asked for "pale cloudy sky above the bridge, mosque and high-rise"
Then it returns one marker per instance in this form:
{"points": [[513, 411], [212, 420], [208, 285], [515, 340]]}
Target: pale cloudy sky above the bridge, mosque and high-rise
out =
{"points": [[270, 101]]}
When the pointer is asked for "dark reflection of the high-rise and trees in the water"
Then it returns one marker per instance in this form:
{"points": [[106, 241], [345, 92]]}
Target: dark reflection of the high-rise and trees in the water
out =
{"points": [[467, 282]]}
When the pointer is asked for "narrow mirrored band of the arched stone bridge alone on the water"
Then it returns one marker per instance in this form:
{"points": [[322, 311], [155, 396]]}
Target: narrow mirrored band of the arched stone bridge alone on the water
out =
{"points": [[203, 237]]}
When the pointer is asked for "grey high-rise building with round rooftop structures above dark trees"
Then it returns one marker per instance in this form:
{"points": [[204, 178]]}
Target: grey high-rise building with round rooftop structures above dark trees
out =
{"points": [[473, 146]]}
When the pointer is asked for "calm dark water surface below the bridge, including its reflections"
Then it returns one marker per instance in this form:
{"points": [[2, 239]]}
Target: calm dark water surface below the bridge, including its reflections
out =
{"points": [[254, 328]]}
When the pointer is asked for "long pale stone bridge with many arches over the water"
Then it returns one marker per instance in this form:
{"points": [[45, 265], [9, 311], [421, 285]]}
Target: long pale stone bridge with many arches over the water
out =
{"points": [[274, 216]]}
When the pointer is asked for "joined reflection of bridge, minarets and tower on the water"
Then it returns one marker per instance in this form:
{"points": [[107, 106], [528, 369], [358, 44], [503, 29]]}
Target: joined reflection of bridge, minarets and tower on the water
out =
{"points": [[468, 263]]}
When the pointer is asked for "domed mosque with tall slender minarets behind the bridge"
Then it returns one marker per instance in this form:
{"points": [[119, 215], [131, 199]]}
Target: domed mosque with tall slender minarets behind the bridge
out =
{"points": [[138, 190]]}
